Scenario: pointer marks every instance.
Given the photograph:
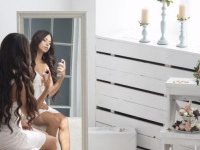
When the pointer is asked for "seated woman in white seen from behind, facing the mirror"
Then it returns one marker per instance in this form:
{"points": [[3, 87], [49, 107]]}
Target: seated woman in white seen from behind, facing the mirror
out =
{"points": [[18, 106]]}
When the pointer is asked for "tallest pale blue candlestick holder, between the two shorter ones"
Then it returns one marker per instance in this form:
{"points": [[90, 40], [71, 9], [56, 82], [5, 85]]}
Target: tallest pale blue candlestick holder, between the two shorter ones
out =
{"points": [[162, 40]]}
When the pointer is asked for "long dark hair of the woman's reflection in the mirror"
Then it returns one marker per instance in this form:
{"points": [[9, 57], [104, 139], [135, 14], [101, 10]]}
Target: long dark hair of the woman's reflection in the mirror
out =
{"points": [[48, 57]]}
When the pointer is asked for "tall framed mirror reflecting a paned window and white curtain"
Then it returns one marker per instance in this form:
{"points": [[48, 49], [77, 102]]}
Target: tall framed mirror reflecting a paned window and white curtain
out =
{"points": [[68, 30]]}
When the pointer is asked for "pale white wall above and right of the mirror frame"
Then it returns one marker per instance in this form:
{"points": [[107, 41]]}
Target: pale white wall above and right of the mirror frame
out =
{"points": [[8, 19]]}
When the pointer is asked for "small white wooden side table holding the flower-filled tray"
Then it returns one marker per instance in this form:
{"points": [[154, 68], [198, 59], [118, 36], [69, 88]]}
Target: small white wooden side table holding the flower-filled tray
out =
{"points": [[179, 89]]}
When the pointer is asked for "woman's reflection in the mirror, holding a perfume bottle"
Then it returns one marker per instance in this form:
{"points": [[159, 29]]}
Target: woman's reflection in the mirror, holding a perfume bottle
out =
{"points": [[43, 63]]}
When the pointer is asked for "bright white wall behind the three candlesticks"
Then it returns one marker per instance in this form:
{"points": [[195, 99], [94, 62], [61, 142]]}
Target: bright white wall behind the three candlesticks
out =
{"points": [[118, 15]]}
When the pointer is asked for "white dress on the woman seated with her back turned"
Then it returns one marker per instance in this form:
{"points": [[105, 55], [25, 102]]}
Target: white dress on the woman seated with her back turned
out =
{"points": [[20, 139]]}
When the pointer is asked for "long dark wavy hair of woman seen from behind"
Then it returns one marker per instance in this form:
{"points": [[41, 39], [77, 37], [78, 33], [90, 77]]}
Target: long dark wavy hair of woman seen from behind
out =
{"points": [[15, 61]]}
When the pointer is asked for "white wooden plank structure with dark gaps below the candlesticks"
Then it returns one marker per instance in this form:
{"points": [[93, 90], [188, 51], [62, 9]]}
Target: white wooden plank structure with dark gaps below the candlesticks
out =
{"points": [[130, 84]]}
